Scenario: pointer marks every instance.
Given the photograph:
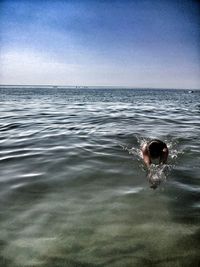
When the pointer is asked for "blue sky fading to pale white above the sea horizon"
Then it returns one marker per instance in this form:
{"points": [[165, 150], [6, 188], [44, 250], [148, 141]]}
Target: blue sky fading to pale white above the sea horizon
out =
{"points": [[138, 43]]}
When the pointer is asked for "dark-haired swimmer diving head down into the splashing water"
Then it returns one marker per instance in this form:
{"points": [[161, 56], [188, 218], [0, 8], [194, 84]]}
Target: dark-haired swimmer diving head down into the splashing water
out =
{"points": [[155, 150]]}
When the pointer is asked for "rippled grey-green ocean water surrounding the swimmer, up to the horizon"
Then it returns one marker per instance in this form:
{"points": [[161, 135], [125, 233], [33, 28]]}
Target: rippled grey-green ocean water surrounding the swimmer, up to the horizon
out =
{"points": [[73, 187]]}
